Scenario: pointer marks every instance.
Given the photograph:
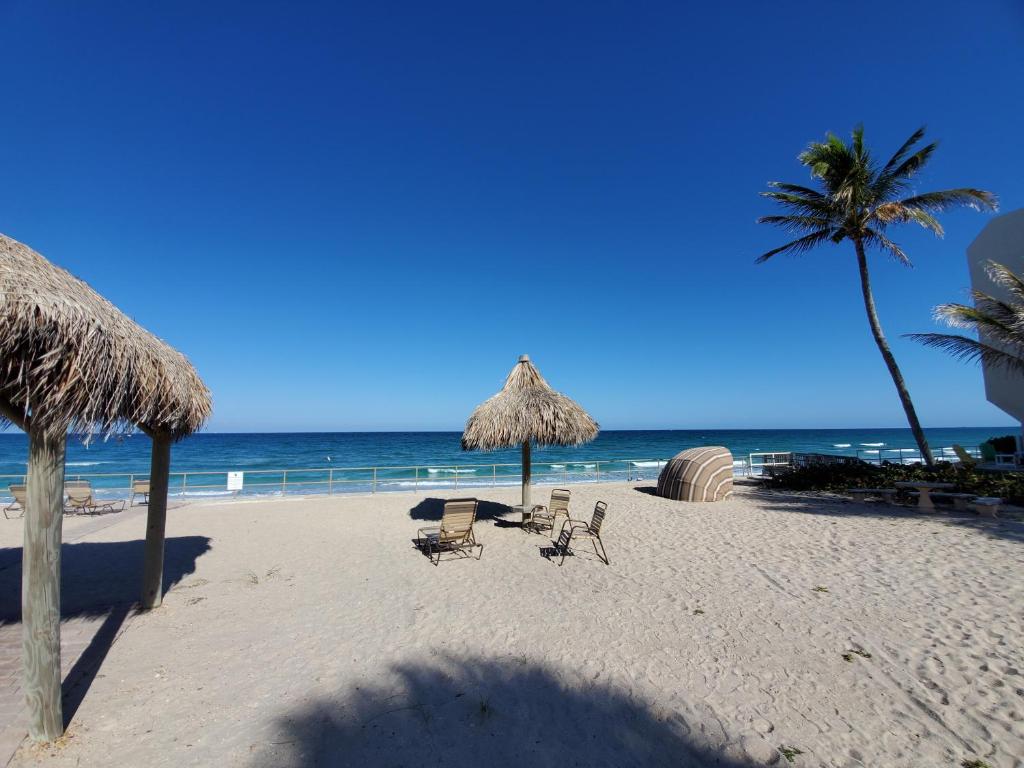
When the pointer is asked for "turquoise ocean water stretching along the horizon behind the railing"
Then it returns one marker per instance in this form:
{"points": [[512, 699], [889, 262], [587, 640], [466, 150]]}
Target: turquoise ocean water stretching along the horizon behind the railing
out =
{"points": [[323, 462]]}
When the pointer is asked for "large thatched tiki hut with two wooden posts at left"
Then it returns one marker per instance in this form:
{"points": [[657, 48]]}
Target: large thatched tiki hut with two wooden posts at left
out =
{"points": [[70, 361]]}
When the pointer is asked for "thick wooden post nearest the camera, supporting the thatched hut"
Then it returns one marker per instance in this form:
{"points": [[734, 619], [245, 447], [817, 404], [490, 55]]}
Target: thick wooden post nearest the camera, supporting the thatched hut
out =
{"points": [[41, 584]]}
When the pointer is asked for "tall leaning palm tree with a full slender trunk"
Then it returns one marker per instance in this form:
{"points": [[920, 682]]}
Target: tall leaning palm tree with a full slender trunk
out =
{"points": [[859, 201]]}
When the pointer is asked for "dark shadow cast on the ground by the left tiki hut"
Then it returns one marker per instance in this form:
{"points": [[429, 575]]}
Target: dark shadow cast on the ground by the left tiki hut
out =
{"points": [[98, 580]]}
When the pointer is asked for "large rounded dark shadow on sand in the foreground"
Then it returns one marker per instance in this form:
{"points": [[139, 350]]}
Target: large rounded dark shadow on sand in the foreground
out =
{"points": [[472, 712]]}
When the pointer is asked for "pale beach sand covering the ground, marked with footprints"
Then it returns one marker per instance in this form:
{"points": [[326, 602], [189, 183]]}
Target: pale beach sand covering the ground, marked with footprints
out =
{"points": [[312, 634]]}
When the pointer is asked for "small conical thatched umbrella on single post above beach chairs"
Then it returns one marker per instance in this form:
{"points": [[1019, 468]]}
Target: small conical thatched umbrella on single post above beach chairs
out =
{"points": [[528, 411]]}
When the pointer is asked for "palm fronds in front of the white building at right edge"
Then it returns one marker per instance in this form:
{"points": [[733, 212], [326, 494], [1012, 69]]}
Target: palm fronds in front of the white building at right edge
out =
{"points": [[1000, 325]]}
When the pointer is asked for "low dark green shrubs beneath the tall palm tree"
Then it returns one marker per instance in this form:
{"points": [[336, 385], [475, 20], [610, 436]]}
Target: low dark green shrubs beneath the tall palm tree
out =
{"points": [[839, 478]]}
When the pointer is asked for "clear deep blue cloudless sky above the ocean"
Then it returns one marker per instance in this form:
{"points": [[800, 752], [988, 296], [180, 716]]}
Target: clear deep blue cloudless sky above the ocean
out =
{"points": [[357, 217]]}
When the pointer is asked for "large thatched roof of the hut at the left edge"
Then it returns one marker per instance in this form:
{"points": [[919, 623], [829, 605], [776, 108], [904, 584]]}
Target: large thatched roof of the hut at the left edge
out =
{"points": [[69, 359]]}
